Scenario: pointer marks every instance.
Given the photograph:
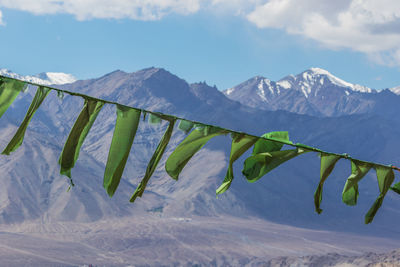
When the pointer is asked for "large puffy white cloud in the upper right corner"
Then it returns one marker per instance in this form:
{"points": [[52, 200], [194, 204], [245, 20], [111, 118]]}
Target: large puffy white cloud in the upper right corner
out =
{"points": [[368, 26]]}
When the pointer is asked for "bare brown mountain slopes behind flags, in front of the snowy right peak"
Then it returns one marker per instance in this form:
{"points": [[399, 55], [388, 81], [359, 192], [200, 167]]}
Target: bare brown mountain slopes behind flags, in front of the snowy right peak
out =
{"points": [[33, 192]]}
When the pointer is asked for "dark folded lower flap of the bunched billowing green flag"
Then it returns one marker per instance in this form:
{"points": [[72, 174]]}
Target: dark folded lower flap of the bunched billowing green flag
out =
{"points": [[256, 166]]}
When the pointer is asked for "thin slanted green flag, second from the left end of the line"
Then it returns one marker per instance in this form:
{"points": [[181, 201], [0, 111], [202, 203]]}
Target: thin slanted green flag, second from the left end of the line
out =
{"points": [[18, 138]]}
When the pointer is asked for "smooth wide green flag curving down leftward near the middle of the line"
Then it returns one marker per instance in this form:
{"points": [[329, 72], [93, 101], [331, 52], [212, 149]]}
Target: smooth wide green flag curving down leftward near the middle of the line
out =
{"points": [[188, 147]]}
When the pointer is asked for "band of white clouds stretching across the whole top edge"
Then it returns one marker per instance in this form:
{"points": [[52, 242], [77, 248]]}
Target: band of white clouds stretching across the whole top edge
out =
{"points": [[368, 26]]}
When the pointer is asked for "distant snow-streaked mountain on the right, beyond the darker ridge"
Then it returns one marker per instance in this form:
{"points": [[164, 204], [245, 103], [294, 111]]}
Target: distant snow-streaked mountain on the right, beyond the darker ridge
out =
{"points": [[315, 92]]}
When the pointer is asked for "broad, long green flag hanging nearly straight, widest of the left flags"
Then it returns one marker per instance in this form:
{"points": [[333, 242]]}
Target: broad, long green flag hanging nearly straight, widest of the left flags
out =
{"points": [[124, 133]]}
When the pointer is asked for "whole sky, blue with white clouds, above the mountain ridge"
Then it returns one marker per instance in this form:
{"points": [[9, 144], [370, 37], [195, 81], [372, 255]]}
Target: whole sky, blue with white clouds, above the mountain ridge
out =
{"points": [[222, 44]]}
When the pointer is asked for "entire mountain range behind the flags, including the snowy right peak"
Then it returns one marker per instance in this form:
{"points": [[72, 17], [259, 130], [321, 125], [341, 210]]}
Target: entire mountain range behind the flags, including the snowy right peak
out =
{"points": [[316, 108]]}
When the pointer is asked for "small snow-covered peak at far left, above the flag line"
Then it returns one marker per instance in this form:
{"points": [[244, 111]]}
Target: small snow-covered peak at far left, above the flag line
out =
{"points": [[45, 78]]}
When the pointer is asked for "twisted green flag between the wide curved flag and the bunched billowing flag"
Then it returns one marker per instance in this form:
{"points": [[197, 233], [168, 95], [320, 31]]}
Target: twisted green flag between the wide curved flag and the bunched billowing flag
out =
{"points": [[240, 144]]}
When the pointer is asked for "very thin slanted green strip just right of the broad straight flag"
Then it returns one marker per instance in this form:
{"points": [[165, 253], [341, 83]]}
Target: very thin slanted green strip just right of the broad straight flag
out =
{"points": [[154, 159]]}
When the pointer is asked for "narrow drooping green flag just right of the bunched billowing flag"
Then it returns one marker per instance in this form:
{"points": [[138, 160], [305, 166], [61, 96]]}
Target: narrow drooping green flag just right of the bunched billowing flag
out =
{"points": [[327, 164]]}
